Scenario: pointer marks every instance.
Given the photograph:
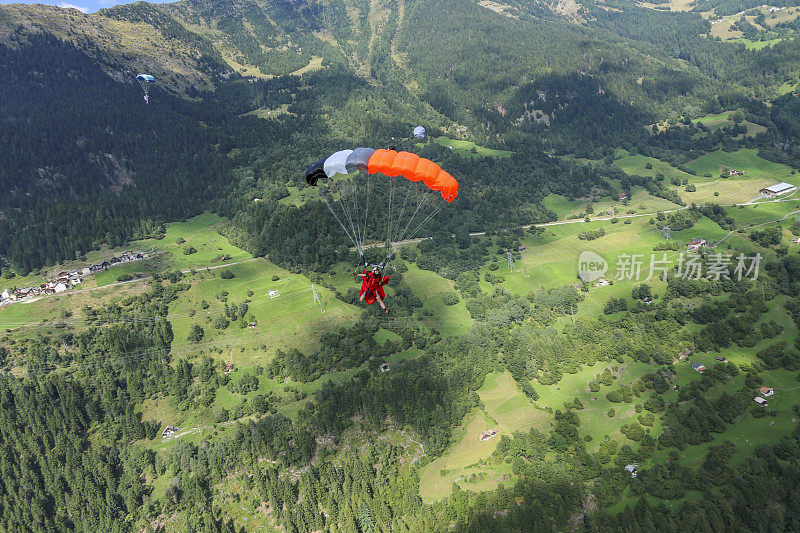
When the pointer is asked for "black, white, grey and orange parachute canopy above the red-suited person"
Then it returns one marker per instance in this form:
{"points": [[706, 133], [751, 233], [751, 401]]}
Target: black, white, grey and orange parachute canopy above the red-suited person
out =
{"points": [[388, 162]]}
